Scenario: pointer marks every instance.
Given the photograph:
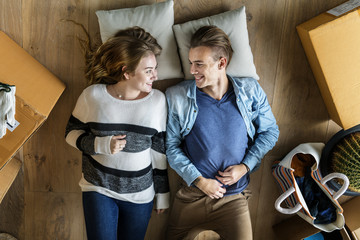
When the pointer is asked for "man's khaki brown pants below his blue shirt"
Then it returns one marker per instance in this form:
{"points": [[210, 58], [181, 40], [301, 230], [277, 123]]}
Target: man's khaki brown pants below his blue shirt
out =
{"points": [[193, 211]]}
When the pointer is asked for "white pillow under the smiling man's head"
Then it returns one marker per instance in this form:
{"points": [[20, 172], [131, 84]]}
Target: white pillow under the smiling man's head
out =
{"points": [[233, 23]]}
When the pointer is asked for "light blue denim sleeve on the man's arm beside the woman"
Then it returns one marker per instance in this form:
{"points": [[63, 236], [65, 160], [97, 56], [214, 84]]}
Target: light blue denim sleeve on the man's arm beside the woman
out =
{"points": [[178, 113]]}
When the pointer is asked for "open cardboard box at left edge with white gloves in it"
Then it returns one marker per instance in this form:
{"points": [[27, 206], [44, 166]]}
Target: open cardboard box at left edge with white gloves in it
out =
{"points": [[37, 91]]}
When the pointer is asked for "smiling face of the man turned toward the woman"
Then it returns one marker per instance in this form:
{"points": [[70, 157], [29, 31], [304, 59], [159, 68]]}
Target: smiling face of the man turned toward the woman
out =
{"points": [[203, 66]]}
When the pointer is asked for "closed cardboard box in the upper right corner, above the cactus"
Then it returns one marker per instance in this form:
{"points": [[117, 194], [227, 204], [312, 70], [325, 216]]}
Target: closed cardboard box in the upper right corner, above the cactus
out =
{"points": [[331, 44]]}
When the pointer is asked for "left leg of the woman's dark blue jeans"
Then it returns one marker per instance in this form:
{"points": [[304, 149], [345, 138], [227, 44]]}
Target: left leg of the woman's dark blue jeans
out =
{"points": [[101, 216]]}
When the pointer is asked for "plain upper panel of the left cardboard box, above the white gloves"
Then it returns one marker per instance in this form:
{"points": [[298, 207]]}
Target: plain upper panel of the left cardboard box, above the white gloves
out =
{"points": [[36, 85]]}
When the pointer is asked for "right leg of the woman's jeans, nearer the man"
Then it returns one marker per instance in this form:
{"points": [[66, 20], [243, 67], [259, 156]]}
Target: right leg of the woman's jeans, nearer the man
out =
{"points": [[133, 220]]}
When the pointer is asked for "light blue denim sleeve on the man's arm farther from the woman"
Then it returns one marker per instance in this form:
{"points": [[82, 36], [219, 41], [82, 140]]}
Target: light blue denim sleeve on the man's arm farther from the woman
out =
{"points": [[265, 130]]}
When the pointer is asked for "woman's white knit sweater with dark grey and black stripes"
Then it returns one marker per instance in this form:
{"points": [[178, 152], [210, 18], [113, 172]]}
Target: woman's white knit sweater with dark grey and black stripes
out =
{"points": [[139, 171]]}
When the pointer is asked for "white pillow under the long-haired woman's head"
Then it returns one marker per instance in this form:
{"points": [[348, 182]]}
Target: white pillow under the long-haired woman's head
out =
{"points": [[157, 19]]}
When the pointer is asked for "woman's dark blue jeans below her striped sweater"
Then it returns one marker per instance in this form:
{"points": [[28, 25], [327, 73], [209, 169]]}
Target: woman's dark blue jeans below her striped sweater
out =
{"points": [[110, 219]]}
